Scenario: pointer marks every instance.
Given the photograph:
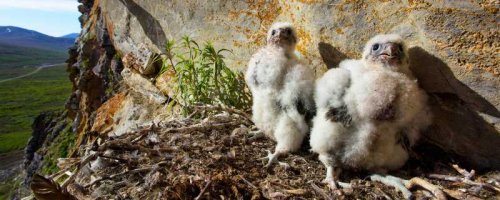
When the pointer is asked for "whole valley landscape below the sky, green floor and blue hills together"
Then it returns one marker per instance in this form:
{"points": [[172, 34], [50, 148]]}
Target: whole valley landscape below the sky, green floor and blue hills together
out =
{"points": [[33, 79]]}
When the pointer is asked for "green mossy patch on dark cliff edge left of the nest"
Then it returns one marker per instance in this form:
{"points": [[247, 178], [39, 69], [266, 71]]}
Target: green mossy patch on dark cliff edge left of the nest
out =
{"points": [[59, 148]]}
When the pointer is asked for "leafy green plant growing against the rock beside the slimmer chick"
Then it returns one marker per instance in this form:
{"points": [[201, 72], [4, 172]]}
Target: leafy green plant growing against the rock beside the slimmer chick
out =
{"points": [[202, 76]]}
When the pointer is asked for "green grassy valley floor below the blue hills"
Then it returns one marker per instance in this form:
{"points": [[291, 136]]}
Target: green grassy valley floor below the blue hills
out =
{"points": [[24, 98]]}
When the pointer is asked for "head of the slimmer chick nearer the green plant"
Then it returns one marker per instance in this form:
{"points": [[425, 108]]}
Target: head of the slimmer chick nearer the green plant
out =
{"points": [[283, 35]]}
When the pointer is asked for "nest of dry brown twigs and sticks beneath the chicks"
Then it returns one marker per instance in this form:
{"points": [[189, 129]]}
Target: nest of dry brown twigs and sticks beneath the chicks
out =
{"points": [[212, 158]]}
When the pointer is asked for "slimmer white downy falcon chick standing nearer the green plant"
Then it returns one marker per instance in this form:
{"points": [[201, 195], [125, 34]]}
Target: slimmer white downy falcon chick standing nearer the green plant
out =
{"points": [[282, 90]]}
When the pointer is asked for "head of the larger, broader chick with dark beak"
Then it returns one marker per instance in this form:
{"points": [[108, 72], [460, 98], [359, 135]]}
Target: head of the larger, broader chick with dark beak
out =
{"points": [[387, 50]]}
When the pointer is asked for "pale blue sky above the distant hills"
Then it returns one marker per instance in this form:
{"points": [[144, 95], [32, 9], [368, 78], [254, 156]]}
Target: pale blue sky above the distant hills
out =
{"points": [[51, 17]]}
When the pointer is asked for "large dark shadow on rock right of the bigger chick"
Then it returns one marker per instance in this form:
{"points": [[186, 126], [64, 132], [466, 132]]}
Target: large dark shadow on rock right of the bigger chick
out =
{"points": [[457, 127]]}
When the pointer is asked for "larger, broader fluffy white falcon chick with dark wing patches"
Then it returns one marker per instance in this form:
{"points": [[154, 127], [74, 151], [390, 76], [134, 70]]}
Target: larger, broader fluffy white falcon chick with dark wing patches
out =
{"points": [[370, 111]]}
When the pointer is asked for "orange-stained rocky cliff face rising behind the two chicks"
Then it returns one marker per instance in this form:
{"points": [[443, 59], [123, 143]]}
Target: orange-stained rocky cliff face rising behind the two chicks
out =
{"points": [[454, 54]]}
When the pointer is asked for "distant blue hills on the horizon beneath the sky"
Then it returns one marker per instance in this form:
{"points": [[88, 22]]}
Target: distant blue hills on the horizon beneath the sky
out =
{"points": [[15, 36]]}
